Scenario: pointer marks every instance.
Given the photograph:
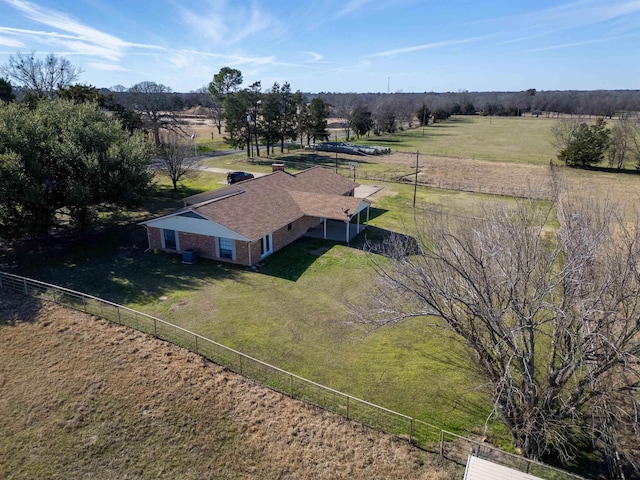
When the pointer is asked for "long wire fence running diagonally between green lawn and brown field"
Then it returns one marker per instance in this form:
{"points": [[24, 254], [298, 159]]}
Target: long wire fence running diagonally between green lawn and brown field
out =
{"points": [[422, 434]]}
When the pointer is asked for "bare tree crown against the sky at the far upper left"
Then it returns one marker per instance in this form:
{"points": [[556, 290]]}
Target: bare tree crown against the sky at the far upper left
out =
{"points": [[44, 77]]}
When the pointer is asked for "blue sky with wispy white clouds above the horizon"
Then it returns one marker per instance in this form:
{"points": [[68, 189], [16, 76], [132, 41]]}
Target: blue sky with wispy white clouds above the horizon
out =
{"points": [[337, 45]]}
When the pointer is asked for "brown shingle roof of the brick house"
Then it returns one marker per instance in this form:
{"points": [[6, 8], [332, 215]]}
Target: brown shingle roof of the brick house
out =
{"points": [[273, 201]]}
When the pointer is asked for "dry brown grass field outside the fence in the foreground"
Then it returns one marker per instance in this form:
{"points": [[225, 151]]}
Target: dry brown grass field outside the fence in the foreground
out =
{"points": [[82, 397]]}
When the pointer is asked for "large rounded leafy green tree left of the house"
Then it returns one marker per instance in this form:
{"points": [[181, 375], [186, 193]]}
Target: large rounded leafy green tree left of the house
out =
{"points": [[59, 157]]}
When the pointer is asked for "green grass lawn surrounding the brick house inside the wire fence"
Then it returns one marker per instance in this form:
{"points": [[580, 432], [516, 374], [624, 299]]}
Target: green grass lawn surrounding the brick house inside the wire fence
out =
{"points": [[292, 312]]}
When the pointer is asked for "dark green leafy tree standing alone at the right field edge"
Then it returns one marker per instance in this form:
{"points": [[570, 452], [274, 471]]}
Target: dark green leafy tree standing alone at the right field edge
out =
{"points": [[587, 146]]}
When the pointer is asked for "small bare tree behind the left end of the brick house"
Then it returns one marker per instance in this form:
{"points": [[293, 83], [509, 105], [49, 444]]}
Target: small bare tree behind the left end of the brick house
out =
{"points": [[177, 158]]}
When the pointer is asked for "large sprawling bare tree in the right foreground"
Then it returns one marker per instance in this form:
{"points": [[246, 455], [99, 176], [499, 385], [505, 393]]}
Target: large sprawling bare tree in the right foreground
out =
{"points": [[550, 316]]}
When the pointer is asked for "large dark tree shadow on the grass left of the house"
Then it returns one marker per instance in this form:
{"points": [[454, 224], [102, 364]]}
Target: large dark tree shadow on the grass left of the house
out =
{"points": [[112, 263]]}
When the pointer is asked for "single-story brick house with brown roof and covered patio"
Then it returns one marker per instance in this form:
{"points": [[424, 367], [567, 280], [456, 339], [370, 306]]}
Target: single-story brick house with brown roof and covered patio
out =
{"points": [[245, 222]]}
